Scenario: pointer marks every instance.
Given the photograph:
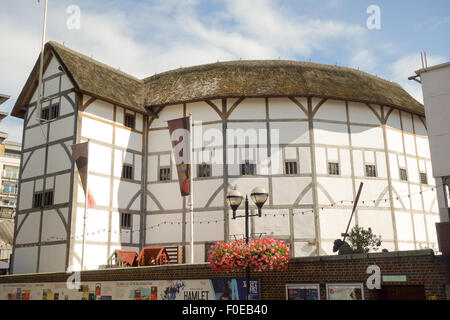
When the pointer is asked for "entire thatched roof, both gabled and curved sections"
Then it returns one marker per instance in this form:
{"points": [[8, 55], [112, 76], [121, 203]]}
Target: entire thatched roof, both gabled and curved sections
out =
{"points": [[259, 78]]}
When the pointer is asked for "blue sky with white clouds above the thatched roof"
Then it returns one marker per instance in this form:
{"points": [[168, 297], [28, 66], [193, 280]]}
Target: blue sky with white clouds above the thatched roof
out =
{"points": [[151, 36]]}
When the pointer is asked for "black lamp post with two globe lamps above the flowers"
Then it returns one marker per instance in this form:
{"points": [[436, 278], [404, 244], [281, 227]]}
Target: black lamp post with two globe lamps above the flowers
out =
{"points": [[234, 198]]}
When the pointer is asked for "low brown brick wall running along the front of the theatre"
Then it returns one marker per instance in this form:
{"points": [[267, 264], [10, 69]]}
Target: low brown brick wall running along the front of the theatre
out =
{"points": [[421, 268]]}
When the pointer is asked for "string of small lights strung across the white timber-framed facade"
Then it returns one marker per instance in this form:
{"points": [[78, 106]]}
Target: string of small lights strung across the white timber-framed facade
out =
{"points": [[158, 225]]}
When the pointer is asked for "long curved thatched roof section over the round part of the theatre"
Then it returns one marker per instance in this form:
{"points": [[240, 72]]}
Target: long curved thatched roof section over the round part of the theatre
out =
{"points": [[262, 78]]}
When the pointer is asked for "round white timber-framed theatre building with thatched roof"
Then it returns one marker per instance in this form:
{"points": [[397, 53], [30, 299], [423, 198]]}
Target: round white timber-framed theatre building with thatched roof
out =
{"points": [[307, 133]]}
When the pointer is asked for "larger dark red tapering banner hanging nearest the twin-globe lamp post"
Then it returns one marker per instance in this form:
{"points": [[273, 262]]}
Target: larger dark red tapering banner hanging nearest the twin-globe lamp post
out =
{"points": [[180, 135]]}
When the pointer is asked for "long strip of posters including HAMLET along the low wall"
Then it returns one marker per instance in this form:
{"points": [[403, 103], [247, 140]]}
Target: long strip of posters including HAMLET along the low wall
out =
{"points": [[207, 289]]}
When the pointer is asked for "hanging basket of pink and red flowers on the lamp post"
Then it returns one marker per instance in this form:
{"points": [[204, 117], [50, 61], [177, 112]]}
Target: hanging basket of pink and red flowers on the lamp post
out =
{"points": [[259, 255]]}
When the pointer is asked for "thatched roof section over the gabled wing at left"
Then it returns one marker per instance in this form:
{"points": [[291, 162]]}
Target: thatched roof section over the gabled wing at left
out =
{"points": [[89, 77]]}
